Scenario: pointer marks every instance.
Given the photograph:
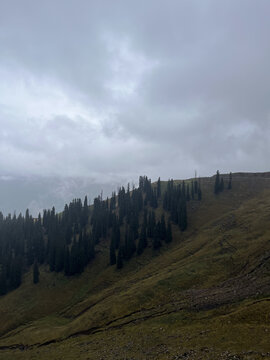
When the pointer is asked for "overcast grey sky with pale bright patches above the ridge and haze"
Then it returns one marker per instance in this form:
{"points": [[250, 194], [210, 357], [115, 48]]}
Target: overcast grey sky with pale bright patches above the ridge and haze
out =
{"points": [[114, 89]]}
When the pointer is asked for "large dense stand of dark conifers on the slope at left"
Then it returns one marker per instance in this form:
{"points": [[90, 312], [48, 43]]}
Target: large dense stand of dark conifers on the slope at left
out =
{"points": [[66, 242]]}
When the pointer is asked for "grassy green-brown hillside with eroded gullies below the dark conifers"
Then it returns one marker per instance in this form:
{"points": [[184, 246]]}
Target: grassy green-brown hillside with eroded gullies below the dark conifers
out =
{"points": [[205, 295]]}
